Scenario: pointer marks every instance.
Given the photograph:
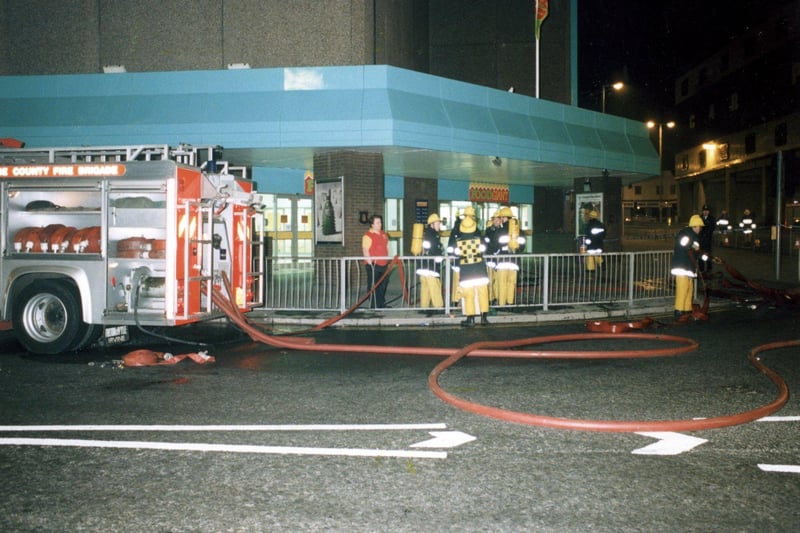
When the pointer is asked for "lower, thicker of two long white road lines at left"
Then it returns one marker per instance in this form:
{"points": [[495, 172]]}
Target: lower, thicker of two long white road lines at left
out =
{"points": [[230, 448]]}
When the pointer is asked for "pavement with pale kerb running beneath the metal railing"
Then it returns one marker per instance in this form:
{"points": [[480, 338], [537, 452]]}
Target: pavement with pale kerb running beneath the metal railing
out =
{"points": [[753, 265]]}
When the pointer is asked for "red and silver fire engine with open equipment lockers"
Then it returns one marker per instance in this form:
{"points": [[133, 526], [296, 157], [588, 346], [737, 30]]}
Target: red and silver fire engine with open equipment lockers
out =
{"points": [[96, 240]]}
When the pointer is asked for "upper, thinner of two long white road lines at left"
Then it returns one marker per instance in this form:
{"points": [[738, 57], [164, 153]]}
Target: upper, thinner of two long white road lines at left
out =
{"points": [[256, 427]]}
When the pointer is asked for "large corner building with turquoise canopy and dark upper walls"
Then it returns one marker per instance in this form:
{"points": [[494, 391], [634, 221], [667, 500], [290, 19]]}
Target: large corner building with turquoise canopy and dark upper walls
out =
{"points": [[399, 107]]}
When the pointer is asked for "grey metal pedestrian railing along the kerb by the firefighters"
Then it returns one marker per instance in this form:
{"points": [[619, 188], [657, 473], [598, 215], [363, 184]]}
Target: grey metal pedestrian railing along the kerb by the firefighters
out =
{"points": [[543, 281]]}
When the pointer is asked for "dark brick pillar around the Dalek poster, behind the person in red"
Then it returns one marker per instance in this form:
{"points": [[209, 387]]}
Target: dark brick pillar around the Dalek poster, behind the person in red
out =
{"points": [[362, 175]]}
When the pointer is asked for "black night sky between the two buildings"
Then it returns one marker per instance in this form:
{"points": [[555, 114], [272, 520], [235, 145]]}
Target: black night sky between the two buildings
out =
{"points": [[645, 43]]}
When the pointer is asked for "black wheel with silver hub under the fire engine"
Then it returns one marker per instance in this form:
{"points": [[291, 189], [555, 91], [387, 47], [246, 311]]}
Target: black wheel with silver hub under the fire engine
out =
{"points": [[47, 318]]}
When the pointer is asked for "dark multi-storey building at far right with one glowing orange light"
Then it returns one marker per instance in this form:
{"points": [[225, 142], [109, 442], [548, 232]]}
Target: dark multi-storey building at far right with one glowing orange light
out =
{"points": [[737, 110]]}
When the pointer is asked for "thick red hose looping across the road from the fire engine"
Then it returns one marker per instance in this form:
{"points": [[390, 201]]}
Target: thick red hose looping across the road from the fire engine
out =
{"points": [[502, 349]]}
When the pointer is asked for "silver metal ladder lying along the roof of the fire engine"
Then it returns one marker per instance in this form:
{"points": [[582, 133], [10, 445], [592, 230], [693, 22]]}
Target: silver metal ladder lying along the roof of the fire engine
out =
{"points": [[184, 153]]}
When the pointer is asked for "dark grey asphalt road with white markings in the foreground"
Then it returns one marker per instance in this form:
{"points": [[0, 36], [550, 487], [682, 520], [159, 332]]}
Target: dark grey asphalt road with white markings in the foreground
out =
{"points": [[268, 439]]}
